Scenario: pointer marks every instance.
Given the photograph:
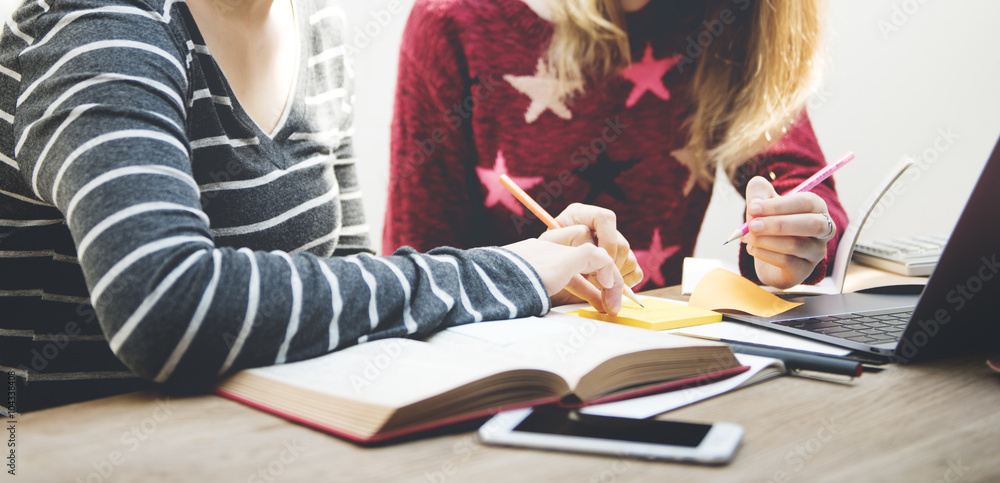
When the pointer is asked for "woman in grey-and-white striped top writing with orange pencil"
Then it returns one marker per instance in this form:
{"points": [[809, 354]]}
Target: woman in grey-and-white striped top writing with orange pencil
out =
{"points": [[183, 174]]}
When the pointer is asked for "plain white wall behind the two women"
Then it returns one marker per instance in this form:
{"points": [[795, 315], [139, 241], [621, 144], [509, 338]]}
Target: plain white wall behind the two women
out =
{"points": [[900, 73]]}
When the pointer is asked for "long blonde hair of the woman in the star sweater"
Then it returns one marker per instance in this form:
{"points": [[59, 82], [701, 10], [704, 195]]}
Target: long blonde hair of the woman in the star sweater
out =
{"points": [[748, 85]]}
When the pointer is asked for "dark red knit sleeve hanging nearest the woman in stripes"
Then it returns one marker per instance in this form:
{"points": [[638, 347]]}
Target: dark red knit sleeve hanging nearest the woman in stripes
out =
{"points": [[431, 202]]}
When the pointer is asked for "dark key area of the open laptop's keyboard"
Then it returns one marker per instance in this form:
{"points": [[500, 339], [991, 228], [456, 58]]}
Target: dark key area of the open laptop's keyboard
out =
{"points": [[875, 327]]}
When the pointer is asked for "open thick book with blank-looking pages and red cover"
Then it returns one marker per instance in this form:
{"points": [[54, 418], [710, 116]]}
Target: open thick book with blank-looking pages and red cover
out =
{"points": [[387, 388]]}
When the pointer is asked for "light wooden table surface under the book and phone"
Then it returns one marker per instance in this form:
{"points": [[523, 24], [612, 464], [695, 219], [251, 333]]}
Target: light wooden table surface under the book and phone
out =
{"points": [[934, 421]]}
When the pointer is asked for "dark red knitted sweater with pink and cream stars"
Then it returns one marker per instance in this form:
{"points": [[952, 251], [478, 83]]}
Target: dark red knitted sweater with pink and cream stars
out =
{"points": [[473, 101]]}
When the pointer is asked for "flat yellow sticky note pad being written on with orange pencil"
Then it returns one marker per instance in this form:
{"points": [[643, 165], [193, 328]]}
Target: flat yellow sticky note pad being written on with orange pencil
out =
{"points": [[658, 315]]}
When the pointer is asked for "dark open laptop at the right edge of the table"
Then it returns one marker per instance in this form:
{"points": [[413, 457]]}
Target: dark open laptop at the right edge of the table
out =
{"points": [[957, 313]]}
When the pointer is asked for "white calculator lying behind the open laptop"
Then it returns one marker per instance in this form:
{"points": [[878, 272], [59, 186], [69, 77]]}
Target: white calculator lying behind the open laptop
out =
{"points": [[912, 256]]}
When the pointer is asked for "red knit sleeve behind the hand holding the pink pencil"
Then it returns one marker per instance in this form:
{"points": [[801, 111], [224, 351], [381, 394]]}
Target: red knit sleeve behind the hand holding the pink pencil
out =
{"points": [[788, 162]]}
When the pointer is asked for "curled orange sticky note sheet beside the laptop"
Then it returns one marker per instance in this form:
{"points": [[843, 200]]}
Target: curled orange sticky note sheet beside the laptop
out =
{"points": [[724, 290]]}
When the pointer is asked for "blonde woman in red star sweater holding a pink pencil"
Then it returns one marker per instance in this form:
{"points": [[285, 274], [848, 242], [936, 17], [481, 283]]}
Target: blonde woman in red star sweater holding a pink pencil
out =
{"points": [[626, 104]]}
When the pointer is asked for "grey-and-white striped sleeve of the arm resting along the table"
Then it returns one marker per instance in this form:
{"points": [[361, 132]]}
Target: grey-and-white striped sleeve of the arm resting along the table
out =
{"points": [[100, 116]]}
